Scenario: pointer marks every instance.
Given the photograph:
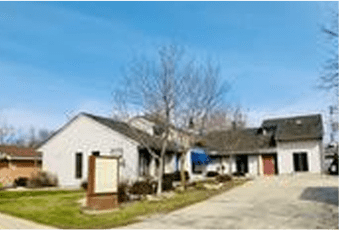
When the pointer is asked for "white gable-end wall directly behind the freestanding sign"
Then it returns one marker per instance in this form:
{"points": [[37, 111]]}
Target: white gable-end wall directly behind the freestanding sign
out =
{"points": [[86, 135]]}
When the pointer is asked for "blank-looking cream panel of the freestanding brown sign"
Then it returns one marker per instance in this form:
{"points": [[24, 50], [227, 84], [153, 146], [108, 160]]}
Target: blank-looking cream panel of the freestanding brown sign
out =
{"points": [[106, 175]]}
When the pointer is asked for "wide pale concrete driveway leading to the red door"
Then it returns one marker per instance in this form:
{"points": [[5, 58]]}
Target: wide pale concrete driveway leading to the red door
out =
{"points": [[281, 202]]}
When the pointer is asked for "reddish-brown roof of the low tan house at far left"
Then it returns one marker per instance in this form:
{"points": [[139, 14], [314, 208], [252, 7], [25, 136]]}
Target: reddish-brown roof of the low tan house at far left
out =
{"points": [[19, 152]]}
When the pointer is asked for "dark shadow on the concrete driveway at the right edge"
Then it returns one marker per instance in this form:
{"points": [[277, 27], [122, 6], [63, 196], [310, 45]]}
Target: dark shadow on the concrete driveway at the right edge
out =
{"points": [[328, 195]]}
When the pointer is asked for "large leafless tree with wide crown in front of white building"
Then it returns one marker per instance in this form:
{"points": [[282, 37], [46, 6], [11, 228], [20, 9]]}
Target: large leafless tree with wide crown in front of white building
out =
{"points": [[175, 88]]}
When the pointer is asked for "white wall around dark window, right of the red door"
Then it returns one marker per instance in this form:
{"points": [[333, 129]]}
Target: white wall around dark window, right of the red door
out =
{"points": [[285, 152]]}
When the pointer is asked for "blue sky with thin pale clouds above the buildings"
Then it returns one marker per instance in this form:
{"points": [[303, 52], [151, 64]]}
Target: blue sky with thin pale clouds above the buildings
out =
{"points": [[59, 58]]}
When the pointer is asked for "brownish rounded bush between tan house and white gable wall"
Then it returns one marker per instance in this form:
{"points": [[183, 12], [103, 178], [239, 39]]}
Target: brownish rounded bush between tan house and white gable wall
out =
{"points": [[42, 179]]}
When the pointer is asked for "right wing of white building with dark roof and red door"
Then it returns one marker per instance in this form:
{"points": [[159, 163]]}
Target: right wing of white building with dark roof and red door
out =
{"points": [[284, 145]]}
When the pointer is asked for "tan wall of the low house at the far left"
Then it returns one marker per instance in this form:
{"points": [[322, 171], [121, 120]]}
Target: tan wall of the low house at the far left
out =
{"points": [[14, 169]]}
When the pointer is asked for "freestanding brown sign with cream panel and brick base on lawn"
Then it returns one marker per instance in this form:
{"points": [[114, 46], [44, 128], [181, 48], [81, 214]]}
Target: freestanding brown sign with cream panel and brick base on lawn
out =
{"points": [[103, 180]]}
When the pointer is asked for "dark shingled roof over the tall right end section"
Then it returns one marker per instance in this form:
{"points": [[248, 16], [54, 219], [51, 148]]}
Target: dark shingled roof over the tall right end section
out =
{"points": [[295, 128]]}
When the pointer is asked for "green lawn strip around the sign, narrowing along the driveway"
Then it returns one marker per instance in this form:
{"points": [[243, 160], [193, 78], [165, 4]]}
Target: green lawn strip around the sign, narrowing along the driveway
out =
{"points": [[60, 208]]}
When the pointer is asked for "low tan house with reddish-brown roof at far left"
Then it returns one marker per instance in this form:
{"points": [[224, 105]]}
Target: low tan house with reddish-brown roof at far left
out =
{"points": [[18, 162]]}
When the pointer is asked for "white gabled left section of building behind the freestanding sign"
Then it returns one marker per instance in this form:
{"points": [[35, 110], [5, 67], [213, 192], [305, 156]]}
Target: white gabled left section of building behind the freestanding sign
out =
{"points": [[66, 152]]}
